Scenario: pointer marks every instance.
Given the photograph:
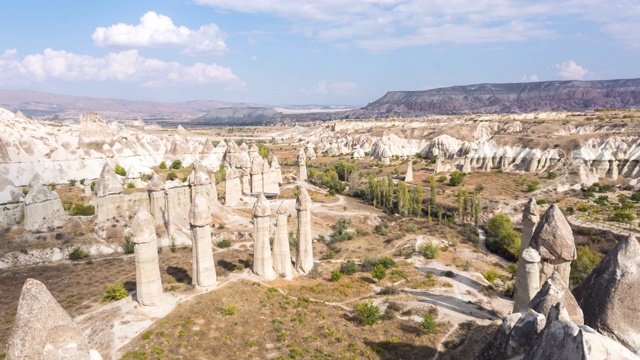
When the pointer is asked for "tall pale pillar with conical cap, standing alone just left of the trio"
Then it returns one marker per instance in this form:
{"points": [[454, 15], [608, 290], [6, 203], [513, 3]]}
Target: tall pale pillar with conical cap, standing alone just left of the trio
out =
{"points": [[204, 268]]}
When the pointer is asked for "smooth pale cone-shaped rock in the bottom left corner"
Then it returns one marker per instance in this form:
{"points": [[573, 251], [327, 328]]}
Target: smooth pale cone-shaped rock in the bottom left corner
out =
{"points": [[43, 330]]}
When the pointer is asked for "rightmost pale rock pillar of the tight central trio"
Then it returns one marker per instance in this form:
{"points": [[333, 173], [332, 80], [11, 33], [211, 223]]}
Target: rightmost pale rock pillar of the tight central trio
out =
{"points": [[304, 253]]}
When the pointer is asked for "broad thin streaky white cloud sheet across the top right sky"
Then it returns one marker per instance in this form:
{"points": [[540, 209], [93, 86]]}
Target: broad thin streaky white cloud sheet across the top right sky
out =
{"points": [[388, 24]]}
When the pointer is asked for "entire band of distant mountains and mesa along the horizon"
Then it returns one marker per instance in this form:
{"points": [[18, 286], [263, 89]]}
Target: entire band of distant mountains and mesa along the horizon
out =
{"points": [[468, 99]]}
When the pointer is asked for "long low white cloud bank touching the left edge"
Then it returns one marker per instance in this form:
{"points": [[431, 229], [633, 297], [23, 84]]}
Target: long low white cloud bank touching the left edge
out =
{"points": [[124, 66]]}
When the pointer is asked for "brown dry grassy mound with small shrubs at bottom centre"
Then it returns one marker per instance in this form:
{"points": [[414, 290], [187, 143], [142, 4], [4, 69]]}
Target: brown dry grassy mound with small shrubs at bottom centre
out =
{"points": [[268, 324]]}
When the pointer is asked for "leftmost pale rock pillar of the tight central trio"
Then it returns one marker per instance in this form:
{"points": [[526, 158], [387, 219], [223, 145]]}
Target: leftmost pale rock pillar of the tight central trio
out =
{"points": [[262, 260]]}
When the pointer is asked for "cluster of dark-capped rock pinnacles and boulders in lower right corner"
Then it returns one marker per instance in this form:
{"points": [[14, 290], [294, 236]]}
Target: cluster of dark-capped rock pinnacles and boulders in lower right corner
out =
{"points": [[597, 320]]}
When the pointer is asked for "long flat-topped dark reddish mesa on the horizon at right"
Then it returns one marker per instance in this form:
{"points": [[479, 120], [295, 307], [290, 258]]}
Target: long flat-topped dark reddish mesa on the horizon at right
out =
{"points": [[508, 98]]}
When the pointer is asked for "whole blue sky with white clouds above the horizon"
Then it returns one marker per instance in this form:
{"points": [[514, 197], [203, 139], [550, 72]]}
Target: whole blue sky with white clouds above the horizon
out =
{"points": [[325, 52]]}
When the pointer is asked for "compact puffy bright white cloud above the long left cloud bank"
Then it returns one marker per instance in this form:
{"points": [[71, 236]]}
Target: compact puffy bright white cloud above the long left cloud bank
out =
{"points": [[157, 30]]}
